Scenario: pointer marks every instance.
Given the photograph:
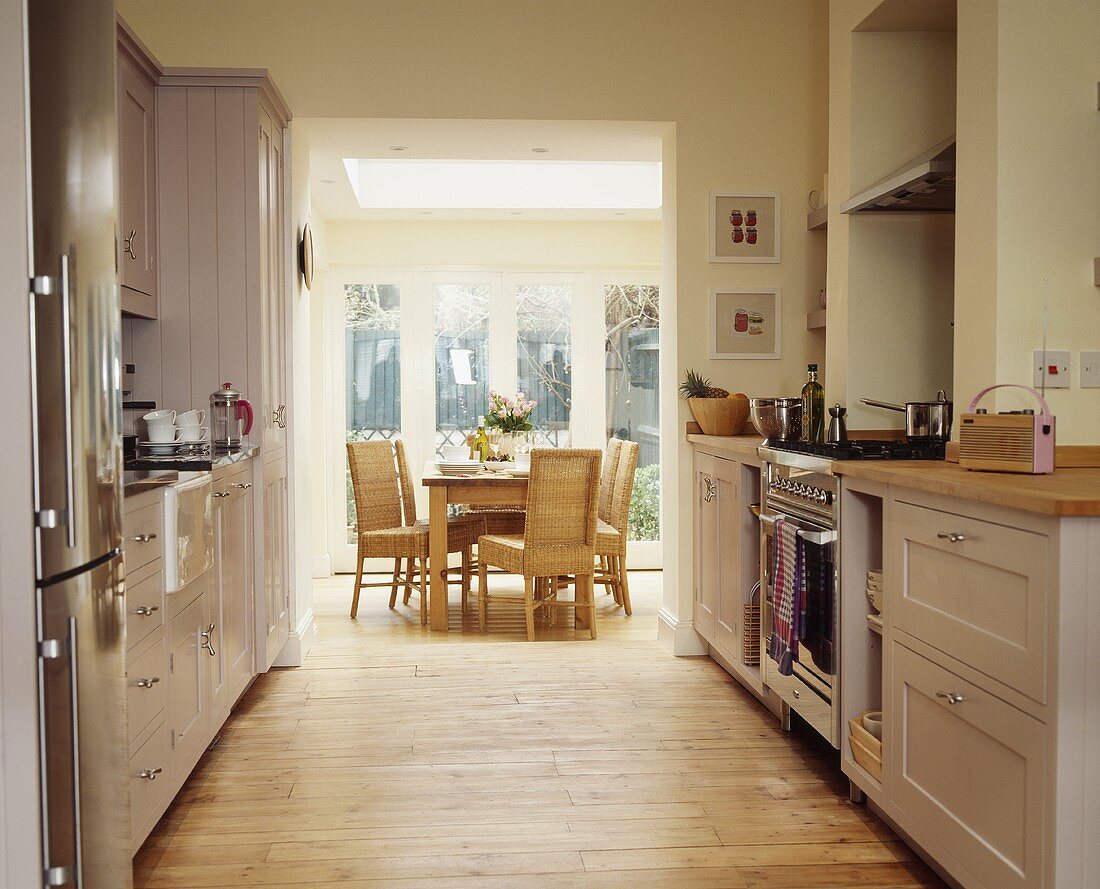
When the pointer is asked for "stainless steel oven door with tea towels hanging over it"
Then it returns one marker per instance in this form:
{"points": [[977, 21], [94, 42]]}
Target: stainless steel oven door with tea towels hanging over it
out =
{"points": [[812, 687]]}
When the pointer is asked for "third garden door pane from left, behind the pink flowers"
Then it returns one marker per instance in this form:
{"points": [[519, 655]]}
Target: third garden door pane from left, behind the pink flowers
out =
{"points": [[545, 370]]}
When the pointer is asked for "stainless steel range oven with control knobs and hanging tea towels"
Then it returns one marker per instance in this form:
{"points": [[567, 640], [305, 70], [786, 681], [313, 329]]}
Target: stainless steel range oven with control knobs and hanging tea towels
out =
{"points": [[802, 491]]}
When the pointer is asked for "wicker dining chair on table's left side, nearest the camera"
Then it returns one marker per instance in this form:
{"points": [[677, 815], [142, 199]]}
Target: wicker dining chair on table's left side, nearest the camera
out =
{"points": [[387, 526]]}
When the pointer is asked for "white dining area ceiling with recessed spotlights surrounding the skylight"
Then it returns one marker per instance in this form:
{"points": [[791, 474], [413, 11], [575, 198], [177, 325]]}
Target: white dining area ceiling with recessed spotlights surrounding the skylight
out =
{"points": [[331, 141]]}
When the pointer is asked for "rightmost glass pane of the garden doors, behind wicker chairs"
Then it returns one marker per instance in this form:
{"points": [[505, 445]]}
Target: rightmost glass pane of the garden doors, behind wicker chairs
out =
{"points": [[632, 359]]}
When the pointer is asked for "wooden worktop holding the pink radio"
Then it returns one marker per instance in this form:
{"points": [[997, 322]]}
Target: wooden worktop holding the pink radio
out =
{"points": [[1066, 492]]}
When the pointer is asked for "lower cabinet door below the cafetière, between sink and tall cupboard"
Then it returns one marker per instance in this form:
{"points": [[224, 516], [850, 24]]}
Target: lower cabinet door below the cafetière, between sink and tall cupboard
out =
{"points": [[234, 562]]}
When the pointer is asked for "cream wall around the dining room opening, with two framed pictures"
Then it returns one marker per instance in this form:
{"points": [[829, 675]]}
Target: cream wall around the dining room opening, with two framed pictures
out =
{"points": [[687, 64]]}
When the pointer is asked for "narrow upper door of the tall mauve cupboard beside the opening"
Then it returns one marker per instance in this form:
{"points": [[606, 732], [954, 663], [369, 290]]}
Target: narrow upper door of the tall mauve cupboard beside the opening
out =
{"points": [[273, 256]]}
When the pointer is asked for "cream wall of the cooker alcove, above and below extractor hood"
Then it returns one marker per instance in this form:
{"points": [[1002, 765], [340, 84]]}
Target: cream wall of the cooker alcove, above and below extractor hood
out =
{"points": [[890, 278]]}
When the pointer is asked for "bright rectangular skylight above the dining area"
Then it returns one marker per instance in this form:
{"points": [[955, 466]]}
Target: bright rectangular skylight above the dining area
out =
{"points": [[502, 185]]}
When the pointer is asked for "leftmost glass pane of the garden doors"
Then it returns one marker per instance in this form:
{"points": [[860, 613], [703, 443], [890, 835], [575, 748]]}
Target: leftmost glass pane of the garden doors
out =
{"points": [[373, 363]]}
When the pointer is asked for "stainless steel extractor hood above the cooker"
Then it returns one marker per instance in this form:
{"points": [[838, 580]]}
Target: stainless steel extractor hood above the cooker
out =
{"points": [[925, 185]]}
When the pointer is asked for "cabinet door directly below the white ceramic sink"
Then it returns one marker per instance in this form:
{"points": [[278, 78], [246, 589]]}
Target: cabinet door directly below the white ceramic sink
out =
{"points": [[188, 690]]}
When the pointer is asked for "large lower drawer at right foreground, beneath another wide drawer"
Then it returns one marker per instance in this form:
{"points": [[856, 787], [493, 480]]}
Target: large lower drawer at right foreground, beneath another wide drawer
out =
{"points": [[969, 778]]}
